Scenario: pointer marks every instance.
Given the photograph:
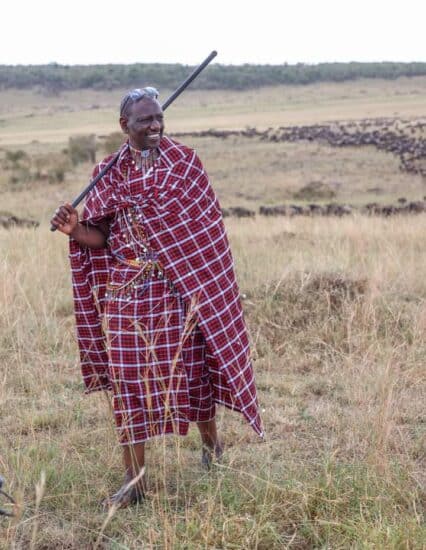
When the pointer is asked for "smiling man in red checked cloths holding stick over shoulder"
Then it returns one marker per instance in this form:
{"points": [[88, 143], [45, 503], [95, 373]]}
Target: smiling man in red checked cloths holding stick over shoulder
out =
{"points": [[159, 321]]}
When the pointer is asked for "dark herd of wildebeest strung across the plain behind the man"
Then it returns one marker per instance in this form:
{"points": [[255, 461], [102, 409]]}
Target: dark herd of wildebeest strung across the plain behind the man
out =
{"points": [[402, 138]]}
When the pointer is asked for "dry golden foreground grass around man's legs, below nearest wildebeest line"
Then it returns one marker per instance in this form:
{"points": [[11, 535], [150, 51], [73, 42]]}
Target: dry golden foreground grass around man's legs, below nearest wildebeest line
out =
{"points": [[337, 313]]}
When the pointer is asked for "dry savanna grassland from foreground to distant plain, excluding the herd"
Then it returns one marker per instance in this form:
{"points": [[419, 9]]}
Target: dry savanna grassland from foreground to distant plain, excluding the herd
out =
{"points": [[336, 309]]}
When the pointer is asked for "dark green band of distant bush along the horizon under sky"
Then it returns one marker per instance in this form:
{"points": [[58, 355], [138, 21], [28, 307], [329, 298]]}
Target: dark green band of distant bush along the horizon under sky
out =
{"points": [[54, 78]]}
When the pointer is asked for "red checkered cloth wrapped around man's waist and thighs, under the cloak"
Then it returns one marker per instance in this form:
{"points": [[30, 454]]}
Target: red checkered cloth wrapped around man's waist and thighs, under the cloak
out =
{"points": [[158, 370]]}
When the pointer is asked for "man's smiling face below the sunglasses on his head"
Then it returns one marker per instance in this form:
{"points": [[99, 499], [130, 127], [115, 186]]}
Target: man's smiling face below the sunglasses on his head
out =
{"points": [[144, 124]]}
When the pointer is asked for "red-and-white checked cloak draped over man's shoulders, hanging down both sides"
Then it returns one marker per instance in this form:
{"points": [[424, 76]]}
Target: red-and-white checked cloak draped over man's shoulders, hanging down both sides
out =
{"points": [[182, 220]]}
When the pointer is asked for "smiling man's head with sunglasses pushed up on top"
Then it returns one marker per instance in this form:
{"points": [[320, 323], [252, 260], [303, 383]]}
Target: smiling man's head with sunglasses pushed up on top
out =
{"points": [[141, 117]]}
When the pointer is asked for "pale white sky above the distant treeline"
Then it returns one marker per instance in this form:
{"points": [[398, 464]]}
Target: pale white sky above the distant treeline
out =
{"points": [[185, 31]]}
